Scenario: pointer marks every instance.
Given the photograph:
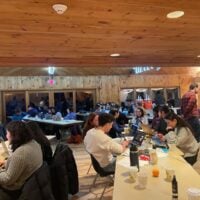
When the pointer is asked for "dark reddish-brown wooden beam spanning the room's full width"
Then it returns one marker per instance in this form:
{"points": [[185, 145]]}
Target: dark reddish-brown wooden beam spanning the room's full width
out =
{"points": [[94, 62]]}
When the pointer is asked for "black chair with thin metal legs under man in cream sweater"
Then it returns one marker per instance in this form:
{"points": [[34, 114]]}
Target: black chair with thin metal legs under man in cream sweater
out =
{"points": [[102, 173]]}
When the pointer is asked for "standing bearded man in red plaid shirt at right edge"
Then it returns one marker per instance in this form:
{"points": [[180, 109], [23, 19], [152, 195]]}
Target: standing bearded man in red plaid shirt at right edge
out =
{"points": [[190, 111]]}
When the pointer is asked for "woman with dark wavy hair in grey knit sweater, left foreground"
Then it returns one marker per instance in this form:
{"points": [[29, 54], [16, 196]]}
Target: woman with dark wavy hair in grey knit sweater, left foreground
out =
{"points": [[26, 158]]}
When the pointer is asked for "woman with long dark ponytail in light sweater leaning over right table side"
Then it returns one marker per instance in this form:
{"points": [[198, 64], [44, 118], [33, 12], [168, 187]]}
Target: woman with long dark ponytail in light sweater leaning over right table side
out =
{"points": [[182, 136]]}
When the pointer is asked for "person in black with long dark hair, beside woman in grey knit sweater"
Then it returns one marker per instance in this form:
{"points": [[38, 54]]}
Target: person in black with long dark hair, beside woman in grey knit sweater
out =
{"points": [[42, 140]]}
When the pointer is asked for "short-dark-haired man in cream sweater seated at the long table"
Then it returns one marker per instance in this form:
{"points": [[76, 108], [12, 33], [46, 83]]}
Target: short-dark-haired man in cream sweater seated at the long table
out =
{"points": [[101, 146]]}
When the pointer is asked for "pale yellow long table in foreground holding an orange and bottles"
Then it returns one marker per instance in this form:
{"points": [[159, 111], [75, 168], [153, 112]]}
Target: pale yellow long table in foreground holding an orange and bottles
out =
{"points": [[157, 187]]}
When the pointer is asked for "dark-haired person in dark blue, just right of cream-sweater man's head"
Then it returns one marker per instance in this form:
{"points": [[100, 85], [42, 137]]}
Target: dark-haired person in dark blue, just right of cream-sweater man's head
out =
{"points": [[116, 129]]}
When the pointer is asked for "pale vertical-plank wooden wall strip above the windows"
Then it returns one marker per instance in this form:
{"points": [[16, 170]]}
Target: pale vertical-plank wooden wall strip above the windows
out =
{"points": [[107, 87]]}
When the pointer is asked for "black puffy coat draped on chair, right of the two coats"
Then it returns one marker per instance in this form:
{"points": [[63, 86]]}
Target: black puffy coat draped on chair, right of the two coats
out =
{"points": [[64, 173]]}
